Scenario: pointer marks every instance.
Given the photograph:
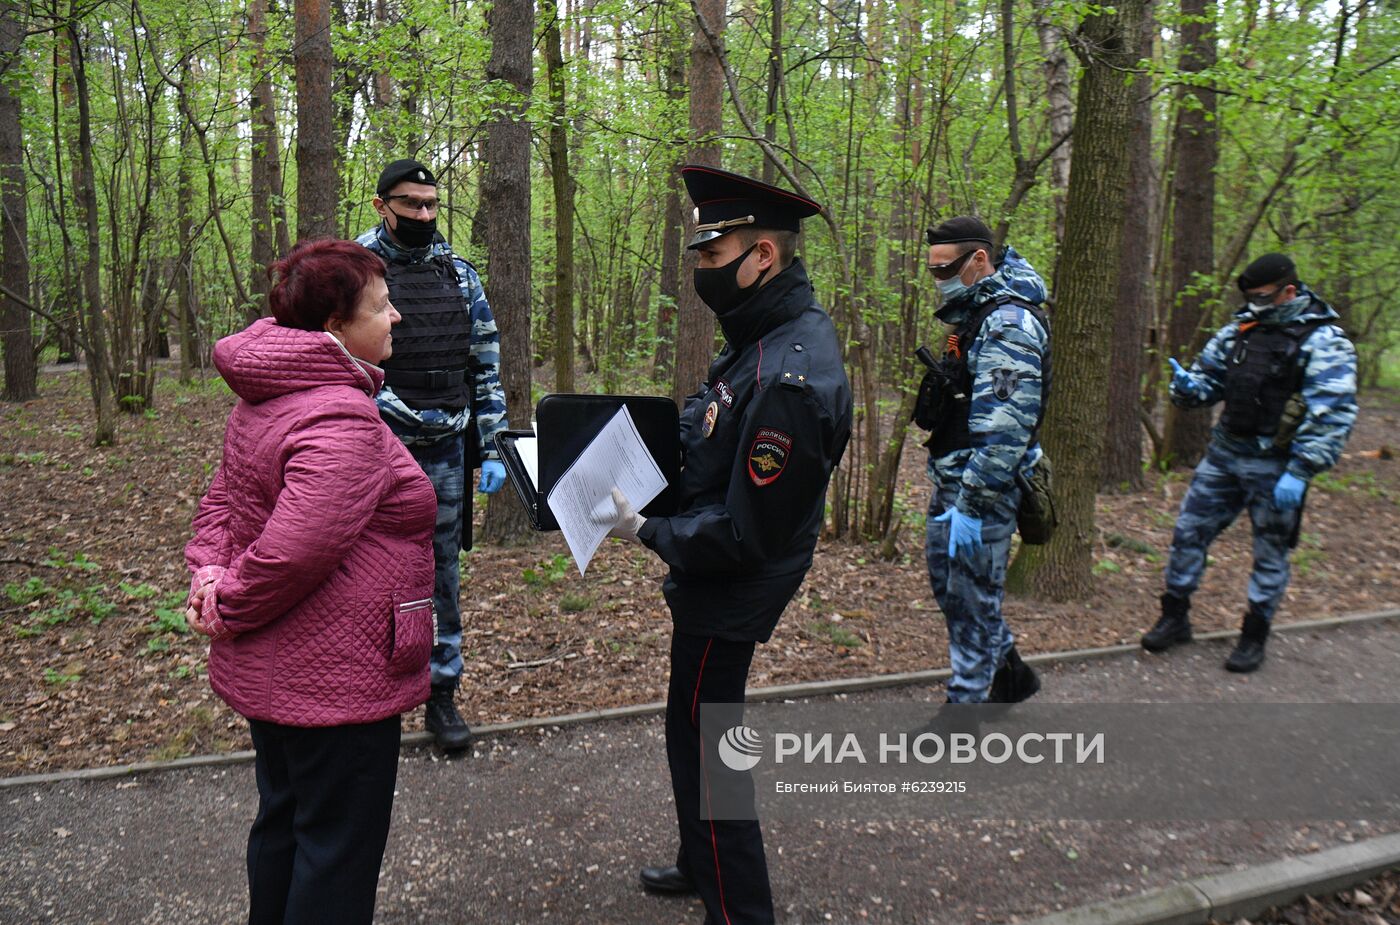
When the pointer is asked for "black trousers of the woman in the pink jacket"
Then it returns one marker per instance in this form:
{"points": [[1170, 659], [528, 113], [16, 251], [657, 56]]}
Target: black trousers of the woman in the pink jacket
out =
{"points": [[324, 801]]}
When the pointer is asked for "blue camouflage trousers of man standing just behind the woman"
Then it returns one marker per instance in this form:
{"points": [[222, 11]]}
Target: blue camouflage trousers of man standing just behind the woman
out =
{"points": [[443, 464]]}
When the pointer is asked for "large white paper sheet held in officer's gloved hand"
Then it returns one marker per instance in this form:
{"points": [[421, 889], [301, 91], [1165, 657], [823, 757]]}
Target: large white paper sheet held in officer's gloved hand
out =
{"points": [[582, 500]]}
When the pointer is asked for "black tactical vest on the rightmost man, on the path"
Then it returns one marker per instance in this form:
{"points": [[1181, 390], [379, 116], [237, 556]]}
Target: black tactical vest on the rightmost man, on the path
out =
{"points": [[1261, 376]]}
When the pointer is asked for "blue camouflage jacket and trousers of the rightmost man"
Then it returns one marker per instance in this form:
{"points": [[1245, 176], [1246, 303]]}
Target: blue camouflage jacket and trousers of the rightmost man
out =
{"points": [[1241, 472]]}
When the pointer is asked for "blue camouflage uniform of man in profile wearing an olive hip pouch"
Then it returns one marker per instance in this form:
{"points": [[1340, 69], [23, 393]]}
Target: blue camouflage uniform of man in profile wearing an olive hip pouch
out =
{"points": [[1006, 365]]}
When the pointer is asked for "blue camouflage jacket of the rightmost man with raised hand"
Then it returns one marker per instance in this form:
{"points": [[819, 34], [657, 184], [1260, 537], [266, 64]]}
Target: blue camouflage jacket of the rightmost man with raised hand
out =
{"points": [[1329, 387]]}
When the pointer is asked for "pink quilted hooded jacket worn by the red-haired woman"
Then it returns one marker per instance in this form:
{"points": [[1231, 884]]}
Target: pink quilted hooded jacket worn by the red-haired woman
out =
{"points": [[317, 538]]}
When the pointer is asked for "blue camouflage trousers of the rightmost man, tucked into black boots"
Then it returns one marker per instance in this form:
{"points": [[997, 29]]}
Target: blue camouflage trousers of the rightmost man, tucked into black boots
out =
{"points": [[1224, 485]]}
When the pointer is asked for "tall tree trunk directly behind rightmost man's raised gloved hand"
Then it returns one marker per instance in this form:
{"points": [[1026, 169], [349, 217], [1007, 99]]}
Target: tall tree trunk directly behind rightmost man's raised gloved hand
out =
{"points": [[1193, 223]]}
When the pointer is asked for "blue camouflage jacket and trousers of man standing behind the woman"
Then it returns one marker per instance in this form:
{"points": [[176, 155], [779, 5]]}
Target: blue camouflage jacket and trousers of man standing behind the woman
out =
{"points": [[435, 437]]}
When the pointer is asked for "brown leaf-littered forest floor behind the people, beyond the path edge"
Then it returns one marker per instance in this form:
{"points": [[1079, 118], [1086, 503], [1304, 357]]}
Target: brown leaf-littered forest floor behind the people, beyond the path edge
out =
{"points": [[99, 668]]}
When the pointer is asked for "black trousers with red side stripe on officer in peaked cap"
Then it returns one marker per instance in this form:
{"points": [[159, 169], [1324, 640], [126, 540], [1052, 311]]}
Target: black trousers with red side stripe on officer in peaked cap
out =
{"points": [[724, 859]]}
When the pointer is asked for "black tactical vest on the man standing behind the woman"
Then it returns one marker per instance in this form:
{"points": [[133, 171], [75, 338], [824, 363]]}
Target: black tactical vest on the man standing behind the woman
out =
{"points": [[432, 344]]}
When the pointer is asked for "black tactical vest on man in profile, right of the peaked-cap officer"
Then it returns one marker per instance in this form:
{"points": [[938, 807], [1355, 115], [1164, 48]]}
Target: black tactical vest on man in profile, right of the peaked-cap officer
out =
{"points": [[944, 405]]}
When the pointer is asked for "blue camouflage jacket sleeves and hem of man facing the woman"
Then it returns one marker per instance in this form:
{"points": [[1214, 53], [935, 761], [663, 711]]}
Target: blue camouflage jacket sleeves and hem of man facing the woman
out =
{"points": [[484, 359]]}
